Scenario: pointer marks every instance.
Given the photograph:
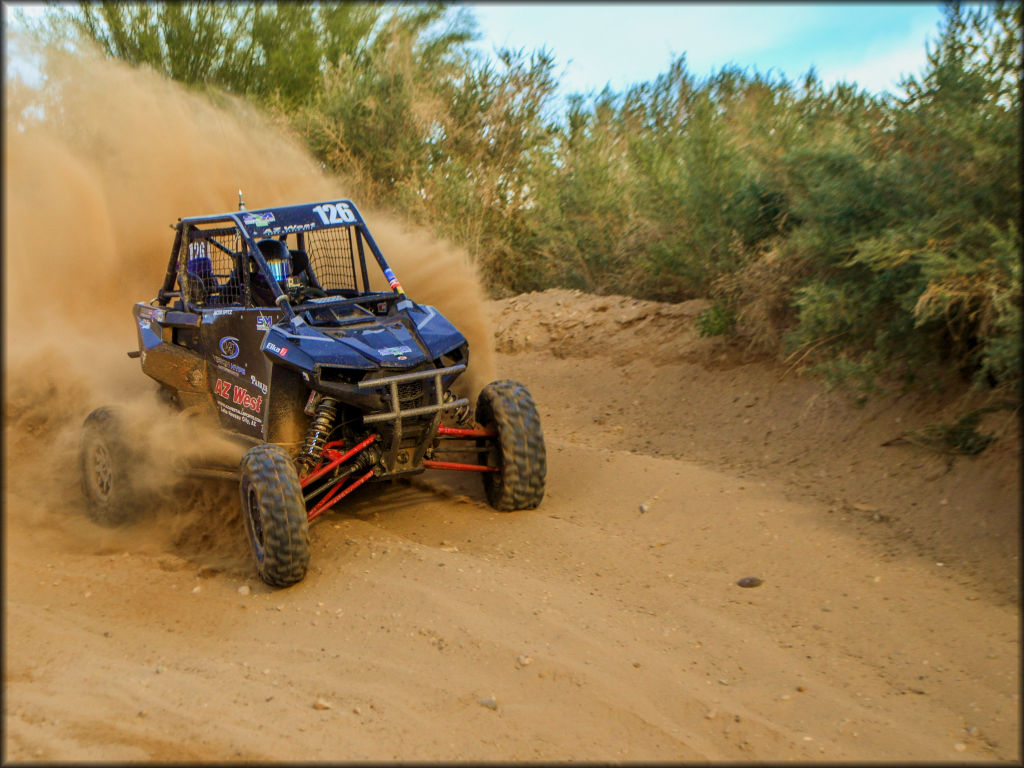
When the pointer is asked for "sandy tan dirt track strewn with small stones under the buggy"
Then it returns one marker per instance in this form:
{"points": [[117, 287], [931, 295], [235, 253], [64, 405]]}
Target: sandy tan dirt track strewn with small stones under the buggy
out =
{"points": [[607, 625]]}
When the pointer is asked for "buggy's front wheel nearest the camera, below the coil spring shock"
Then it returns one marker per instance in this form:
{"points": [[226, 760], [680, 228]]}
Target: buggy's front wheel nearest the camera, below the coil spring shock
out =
{"points": [[275, 516]]}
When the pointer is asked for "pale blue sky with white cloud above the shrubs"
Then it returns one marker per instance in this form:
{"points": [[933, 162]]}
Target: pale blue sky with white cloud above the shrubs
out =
{"points": [[620, 45]]}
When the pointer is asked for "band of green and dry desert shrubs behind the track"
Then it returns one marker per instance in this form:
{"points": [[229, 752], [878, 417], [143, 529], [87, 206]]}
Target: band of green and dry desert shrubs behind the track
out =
{"points": [[876, 237]]}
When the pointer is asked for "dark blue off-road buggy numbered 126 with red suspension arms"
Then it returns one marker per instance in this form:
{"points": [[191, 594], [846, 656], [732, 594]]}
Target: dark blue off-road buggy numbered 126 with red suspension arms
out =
{"points": [[269, 323]]}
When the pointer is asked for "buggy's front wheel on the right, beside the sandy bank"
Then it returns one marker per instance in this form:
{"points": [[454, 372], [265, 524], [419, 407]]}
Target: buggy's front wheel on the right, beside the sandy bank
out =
{"points": [[519, 451]]}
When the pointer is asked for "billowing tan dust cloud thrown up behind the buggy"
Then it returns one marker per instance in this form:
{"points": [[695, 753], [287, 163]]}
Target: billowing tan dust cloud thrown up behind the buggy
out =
{"points": [[99, 163]]}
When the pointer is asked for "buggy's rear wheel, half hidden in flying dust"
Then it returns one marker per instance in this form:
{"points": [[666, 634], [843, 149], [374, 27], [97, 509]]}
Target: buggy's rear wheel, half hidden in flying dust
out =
{"points": [[110, 491]]}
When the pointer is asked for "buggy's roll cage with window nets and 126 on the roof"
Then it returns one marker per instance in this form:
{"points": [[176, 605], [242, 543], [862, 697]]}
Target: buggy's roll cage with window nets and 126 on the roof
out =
{"points": [[217, 261]]}
